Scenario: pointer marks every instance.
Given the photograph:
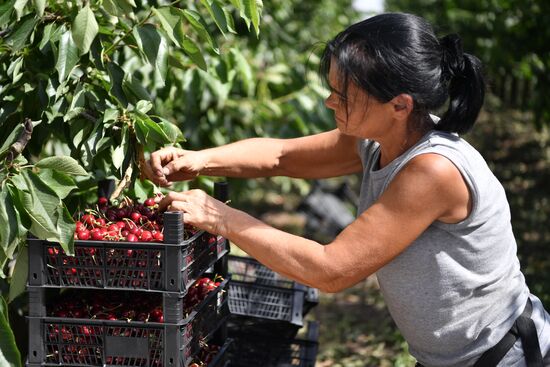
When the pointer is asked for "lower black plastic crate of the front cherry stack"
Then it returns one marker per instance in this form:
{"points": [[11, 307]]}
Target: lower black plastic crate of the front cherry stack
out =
{"points": [[64, 341]]}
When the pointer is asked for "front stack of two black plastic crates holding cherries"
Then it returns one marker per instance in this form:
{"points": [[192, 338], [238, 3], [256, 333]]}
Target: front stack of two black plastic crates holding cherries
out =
{"points": [[164, 270]]}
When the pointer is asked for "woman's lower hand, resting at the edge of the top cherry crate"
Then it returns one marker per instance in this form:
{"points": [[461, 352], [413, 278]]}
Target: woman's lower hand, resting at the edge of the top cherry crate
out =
{"points": [[200, 210]]}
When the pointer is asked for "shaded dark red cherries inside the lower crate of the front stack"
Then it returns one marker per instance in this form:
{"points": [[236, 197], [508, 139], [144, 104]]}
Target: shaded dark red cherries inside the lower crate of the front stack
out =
{"points": [[127, 306]]}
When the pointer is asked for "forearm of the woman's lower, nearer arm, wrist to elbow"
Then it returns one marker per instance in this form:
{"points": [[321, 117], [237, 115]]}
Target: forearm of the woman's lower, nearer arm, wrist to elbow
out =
{"points": [[295, 257]]}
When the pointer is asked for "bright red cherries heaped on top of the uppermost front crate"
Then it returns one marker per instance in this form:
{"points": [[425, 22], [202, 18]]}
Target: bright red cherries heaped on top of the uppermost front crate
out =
{"points": [[129, 221]]}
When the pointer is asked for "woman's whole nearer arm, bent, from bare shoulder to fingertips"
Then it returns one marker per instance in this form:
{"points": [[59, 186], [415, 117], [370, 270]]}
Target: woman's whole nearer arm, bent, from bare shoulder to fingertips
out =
{"points": [[429, 188]]}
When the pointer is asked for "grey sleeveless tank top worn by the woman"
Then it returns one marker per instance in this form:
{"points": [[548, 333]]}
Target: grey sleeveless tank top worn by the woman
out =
{"points": [[458, 288]]}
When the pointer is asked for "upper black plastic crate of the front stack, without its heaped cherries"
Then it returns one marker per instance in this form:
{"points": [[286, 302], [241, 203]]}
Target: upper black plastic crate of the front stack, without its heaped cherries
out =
{"points": [[171, 266]]}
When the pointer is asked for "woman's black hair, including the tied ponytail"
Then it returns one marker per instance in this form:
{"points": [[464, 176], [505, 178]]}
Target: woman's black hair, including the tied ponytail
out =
{"points": [[395, 53]]}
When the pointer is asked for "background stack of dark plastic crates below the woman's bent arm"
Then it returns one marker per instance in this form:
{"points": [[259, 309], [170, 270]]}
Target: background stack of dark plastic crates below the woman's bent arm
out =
{"points": [[267, 312]]}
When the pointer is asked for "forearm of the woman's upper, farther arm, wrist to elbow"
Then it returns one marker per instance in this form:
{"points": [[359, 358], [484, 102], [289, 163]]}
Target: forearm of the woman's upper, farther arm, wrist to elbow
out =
{"points": [[250, 158]]}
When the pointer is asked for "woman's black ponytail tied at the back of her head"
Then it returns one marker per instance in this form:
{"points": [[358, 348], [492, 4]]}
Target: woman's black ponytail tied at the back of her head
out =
{"points": [[463, 73]]}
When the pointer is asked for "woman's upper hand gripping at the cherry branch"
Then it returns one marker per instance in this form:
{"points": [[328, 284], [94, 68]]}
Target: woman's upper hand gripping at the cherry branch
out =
{"points": [[174, 164]]}
